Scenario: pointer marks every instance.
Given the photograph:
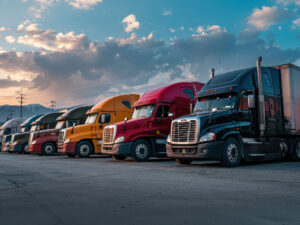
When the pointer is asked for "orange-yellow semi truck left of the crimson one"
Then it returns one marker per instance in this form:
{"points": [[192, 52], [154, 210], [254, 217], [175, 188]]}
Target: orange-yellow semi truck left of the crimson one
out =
{"points": [[86, 139]]}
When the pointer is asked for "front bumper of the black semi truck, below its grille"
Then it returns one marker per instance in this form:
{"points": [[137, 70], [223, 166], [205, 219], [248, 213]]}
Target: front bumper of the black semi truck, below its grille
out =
{"points": [[208, 150]]}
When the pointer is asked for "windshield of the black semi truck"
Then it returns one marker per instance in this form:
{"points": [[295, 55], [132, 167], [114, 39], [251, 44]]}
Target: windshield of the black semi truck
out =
{"points": [[224, 102]]}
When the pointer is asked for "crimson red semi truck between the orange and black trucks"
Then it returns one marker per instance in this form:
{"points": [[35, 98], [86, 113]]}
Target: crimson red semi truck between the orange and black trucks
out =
{"points": [[145, 134]]}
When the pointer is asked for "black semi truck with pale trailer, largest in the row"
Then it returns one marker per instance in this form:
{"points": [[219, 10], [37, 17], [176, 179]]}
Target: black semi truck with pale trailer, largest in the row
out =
{"points": [[249, 114]]}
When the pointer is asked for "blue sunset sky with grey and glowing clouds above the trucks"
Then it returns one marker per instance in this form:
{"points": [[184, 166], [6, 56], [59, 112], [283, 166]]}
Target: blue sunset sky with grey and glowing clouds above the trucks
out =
{"points": [[83, 51]]}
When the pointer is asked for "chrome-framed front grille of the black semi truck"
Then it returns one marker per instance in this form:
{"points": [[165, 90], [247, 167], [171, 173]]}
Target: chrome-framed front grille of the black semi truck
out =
{"points": [[184, 131]]}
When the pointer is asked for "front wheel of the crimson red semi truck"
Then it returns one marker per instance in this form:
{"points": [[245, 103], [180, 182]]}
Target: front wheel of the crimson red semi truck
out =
{"points": [[141, 150]]}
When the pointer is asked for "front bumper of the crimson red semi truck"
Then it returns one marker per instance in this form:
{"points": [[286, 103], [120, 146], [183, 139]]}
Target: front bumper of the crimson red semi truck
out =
{"points": [[117, 149]]}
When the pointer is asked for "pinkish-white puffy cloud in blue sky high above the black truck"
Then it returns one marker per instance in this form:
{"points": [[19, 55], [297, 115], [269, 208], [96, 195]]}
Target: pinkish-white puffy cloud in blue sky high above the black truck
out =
{"points": [[265, 17]]}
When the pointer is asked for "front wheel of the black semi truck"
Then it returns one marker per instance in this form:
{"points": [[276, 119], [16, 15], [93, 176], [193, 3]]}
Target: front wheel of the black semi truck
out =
{"points": [[232, 152]]}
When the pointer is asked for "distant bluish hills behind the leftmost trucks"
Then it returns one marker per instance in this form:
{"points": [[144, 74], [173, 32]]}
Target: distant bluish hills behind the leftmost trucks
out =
{"points": [[28, 110]]}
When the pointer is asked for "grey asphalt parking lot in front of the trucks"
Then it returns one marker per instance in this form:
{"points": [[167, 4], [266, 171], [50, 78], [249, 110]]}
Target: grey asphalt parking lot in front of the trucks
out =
{"points": [[59, 190]]}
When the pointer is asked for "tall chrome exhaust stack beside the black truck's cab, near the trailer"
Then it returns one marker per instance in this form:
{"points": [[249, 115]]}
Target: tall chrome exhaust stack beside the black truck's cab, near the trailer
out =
{"points": [[261, 100]]}
